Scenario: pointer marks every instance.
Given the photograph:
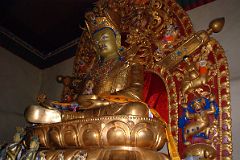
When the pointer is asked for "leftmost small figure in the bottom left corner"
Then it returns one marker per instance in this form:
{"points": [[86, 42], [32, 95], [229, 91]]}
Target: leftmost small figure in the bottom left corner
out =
{"points": [[14, 150]]}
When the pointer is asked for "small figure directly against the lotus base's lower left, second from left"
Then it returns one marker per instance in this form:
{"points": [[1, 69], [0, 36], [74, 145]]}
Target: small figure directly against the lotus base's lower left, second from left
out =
{"points": [[31, 153]]}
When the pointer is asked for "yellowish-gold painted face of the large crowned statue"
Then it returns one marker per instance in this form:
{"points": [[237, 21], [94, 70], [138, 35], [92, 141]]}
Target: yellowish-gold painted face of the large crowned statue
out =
{"points": [[105, 42]]}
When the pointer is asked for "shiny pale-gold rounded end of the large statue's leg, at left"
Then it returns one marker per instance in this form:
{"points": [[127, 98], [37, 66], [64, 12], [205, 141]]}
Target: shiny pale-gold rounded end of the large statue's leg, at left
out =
{"points": [[39, 114]]}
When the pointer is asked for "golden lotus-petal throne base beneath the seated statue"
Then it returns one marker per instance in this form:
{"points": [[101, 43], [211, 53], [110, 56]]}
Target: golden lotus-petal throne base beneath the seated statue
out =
{"points": [[108, 137]]}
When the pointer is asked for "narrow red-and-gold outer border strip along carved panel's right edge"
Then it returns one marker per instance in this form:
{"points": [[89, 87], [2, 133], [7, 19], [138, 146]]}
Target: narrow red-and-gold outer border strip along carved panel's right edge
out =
{"points": [[224, 103]]}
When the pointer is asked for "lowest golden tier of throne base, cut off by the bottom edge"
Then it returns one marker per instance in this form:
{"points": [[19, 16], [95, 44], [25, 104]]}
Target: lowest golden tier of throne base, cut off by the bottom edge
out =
{"points": [[114, 153]]}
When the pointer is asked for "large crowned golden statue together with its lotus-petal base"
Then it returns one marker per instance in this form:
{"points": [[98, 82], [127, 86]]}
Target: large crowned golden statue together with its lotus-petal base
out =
{"points": [[113, 98]]}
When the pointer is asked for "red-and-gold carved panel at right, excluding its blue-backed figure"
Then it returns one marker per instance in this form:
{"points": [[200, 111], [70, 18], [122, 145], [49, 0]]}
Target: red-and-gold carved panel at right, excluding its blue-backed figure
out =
{"points": [[217, 83]]}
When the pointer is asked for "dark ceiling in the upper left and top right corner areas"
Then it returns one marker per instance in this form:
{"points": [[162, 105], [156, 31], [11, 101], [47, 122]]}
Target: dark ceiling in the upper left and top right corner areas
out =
{"points": [[45, 32]]}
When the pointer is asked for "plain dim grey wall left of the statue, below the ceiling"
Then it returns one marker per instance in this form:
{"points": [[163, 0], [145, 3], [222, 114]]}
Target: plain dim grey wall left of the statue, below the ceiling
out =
{"points": [[19, 86]]}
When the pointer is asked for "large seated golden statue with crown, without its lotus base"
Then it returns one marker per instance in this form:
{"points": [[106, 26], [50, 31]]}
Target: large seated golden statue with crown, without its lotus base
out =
{"points": [[117, 84]]}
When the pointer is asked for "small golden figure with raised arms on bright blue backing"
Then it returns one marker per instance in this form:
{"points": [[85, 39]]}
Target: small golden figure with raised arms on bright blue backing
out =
{"points": [[195, 121]]}
